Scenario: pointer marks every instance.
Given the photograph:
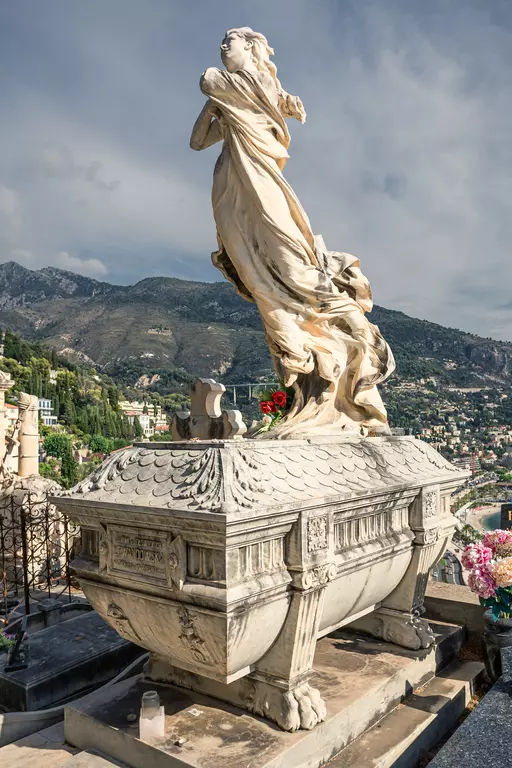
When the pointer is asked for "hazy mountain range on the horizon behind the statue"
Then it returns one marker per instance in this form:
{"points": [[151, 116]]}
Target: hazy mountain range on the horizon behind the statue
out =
{"points": [[159, 332]]}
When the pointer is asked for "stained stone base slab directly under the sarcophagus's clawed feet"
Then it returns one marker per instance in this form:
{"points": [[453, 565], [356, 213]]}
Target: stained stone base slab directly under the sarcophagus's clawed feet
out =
{"points": [[360, 679]]}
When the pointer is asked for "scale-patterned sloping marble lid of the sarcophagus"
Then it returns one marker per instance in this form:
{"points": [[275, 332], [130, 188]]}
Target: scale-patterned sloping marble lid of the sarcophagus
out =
{"points": [[215, 476]]}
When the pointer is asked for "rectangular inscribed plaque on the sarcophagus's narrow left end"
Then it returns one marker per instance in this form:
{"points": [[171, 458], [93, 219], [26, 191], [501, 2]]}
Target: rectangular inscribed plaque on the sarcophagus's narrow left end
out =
{"points": [[138, 554]]}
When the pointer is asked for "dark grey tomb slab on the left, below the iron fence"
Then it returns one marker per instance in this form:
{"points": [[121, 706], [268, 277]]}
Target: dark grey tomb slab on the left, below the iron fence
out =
{"points": [[65, 660]]}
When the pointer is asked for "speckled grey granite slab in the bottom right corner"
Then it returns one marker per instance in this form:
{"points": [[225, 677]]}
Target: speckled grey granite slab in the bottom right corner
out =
{"points": [[485, 738]]}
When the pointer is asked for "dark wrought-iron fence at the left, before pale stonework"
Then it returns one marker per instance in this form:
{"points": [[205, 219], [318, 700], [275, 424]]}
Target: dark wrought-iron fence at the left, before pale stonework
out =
{"points": [[37, 544]]}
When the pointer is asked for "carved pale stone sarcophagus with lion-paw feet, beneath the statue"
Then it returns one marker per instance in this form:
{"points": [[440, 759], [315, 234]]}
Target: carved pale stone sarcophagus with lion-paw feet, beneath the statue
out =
{"points": [[227, 560]]}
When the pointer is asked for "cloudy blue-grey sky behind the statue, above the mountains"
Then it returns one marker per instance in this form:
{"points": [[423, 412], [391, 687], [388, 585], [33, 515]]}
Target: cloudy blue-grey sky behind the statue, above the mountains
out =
{"points": [[405, 158]]}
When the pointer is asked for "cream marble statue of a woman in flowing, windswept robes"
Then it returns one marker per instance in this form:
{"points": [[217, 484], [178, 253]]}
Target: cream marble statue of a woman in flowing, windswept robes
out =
{"points": [[312, 301]]}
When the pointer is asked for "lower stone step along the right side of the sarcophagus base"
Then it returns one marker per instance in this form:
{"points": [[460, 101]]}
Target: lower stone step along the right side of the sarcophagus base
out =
{"points": [[404, 736]]}
